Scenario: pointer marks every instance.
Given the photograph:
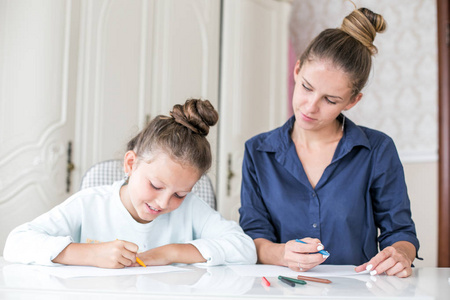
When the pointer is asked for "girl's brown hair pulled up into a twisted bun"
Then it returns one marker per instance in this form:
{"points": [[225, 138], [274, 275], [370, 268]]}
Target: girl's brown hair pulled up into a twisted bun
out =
{"points": [[182, 135]]}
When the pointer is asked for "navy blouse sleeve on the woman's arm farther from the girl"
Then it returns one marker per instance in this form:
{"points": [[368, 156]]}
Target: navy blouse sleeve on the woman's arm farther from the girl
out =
{"points": [[390, 199]]}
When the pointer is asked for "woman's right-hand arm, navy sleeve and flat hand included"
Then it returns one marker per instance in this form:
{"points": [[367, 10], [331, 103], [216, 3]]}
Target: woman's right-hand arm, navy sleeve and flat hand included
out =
{"points": [[392, 214]]}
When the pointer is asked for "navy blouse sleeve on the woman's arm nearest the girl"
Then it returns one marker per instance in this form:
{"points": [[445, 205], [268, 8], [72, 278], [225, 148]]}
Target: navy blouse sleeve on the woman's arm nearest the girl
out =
{"points": [[255, 218]]}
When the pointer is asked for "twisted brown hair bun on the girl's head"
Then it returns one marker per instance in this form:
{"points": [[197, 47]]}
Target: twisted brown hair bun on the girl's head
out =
{"points": [[197, 115]]}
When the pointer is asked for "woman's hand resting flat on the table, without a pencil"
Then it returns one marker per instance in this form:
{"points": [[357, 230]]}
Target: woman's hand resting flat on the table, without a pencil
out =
{"points": [[394, 260]]}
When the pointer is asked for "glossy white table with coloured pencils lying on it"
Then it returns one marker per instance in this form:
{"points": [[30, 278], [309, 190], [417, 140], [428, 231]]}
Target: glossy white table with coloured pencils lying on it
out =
{"points": [[218, 283]]}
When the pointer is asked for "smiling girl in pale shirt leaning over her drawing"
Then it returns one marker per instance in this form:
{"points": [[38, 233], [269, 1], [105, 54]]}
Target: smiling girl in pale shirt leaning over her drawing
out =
{"points": [[151, 215]]}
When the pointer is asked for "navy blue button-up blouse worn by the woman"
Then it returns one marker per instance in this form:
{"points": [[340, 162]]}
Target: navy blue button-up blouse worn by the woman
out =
{"points": [[363, 190]]}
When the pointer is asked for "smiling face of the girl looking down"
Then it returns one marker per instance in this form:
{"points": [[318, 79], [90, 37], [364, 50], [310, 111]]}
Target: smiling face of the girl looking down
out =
{"points": [[155, 188]]}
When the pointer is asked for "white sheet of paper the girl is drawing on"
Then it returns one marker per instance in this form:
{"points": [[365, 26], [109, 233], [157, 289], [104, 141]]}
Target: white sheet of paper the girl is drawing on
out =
{"points": [[85, 271]]}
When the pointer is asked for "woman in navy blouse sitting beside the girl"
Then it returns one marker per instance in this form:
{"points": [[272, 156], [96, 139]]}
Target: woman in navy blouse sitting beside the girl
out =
{"points": [[323, 180]]}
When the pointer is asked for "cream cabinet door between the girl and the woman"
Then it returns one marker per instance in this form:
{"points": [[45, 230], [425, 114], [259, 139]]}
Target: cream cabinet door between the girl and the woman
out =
{"points": [[253, 85]]}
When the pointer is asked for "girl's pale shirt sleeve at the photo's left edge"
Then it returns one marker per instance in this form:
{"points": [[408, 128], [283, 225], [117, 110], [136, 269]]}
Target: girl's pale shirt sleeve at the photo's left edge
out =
{"points": [[41, 240]]}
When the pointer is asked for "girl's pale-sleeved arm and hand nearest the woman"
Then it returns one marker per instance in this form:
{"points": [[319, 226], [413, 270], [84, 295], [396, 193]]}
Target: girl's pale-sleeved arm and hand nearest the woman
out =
{"points": [[203, 236]]}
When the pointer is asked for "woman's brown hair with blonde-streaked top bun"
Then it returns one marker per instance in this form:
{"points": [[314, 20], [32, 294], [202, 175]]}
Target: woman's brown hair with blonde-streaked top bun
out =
{"points": [[349, 47]]}
